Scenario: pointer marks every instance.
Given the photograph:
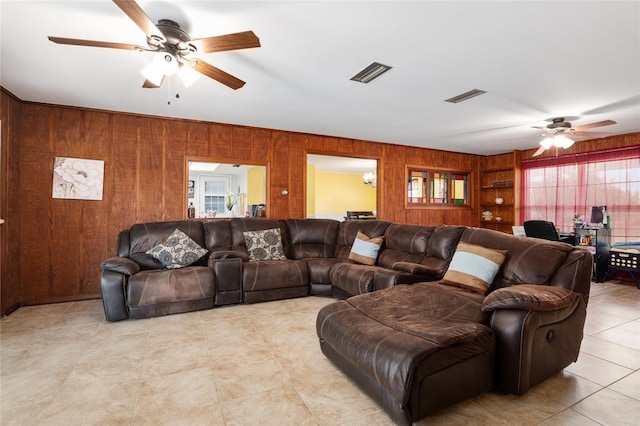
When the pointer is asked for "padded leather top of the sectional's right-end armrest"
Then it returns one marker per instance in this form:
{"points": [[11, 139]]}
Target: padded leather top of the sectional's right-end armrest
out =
{"points": [[530, 297]]}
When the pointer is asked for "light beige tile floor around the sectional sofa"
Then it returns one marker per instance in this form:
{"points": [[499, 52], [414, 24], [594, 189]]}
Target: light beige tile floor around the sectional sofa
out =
{"points": [[260, 364]]}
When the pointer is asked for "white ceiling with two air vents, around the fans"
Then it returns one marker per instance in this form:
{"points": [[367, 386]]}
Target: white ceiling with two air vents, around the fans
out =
{"points": [[536, 60]]}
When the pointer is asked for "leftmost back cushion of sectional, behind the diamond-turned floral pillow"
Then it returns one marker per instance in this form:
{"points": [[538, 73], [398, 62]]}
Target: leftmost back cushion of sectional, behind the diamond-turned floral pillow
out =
{"points": [[145, 236]]}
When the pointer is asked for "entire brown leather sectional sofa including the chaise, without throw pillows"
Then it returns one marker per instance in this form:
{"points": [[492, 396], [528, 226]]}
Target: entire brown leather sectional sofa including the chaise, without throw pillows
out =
{"points": [[412, 341]]}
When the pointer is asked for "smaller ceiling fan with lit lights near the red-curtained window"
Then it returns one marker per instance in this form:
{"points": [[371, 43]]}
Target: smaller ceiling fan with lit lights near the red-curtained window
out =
{"points": [[559, 132]]}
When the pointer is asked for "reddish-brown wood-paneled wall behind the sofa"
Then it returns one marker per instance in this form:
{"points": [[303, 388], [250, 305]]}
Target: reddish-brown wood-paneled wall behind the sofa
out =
{"points": [[58, 245]]}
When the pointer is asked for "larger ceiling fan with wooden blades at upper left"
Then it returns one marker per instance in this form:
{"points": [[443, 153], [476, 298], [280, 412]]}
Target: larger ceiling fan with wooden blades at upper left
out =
{"points": [[175, 48]]}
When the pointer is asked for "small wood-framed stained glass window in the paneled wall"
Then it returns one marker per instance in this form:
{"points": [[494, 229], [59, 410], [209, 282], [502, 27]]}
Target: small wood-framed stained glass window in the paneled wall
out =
{"points": [[437, 187]]}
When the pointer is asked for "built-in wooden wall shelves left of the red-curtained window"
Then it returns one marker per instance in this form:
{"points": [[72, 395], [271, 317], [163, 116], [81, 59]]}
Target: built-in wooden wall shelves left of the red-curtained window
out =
{"points": [[500, 178]]}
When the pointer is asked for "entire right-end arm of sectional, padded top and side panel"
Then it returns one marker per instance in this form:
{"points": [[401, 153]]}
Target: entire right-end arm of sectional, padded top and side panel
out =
{"points": [[538, 332]]}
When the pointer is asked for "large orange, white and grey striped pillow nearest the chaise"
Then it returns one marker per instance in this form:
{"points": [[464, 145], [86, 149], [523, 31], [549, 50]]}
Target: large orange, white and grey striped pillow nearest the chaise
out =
{"points": [[474, 267]]}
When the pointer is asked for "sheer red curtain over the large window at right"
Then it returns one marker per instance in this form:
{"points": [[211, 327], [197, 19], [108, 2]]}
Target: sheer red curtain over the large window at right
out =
{"points": [[559, 188]]}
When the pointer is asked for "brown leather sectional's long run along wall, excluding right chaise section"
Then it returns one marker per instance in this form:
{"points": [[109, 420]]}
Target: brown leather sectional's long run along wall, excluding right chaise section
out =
{"points": [[136, 285]]}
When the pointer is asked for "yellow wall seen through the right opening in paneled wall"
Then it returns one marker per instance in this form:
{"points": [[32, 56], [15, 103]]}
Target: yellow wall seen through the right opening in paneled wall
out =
{"points": [[335, 193]]}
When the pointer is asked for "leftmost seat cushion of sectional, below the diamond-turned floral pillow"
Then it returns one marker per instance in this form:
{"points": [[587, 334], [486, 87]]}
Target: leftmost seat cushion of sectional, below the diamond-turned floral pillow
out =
{"points": [[154, 287]]}
